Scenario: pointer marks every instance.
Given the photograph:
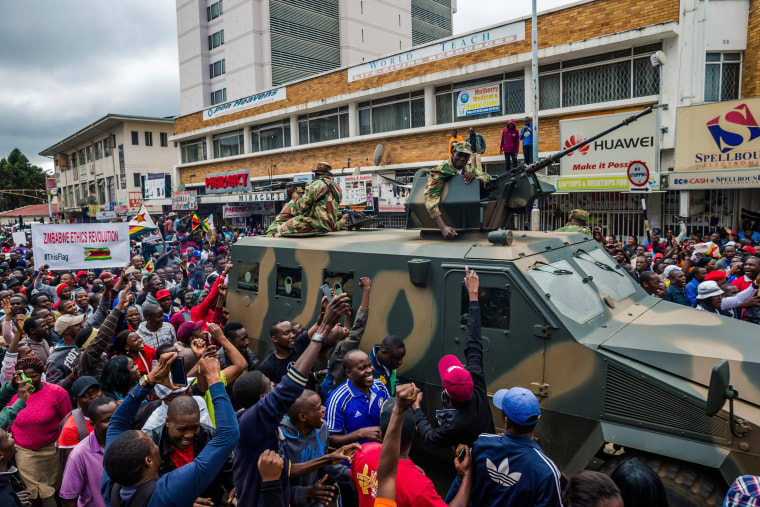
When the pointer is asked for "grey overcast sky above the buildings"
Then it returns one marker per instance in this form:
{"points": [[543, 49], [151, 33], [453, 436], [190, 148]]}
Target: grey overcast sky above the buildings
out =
{"points": [[68, 63]]}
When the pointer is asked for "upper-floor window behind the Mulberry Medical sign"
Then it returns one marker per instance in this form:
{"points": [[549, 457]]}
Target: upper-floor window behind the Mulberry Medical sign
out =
{"points": [[511, 88]]}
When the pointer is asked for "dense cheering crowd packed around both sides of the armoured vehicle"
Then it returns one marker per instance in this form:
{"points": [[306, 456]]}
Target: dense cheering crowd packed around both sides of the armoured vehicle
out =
{"points": [[136, 386]]}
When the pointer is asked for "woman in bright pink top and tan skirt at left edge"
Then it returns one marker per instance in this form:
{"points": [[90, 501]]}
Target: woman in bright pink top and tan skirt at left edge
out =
{"points": [[35, 431]]}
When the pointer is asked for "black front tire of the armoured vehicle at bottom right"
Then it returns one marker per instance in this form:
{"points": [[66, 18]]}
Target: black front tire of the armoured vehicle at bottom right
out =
{"points": [[686, 484]]}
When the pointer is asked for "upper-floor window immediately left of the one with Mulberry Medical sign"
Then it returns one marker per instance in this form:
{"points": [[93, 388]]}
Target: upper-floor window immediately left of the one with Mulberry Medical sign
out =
{"points": [[398, 112]]}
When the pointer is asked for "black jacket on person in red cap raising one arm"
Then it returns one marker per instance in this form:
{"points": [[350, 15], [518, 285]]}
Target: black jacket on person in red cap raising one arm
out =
{"points": [[461, 423]]}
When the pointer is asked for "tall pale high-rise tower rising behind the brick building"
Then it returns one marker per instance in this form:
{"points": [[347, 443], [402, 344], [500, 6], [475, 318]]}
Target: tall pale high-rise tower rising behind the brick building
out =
{"points": [[229, 49]]}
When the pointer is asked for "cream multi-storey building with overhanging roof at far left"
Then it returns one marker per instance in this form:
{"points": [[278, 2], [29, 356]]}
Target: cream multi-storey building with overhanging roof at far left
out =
{"points": [[110, 165]]}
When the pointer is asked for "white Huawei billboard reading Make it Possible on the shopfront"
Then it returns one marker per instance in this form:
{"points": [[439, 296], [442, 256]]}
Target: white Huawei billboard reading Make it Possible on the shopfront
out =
{"points": [[604, 164]]}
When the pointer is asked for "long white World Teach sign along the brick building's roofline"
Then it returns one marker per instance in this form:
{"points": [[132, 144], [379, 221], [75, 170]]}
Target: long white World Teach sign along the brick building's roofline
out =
{"points": [[440, 50]]}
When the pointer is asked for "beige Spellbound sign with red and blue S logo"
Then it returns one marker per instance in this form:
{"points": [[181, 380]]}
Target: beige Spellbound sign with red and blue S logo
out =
{"points": [[723, 135]]}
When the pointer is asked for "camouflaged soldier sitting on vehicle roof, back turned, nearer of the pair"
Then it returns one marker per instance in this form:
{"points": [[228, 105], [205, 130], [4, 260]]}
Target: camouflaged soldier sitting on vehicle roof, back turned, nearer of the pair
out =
{"points": [[318, 206]]}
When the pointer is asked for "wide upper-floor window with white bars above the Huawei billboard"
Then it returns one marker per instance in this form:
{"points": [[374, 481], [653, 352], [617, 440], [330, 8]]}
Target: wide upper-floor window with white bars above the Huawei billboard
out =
{"points": [[616, 75]]}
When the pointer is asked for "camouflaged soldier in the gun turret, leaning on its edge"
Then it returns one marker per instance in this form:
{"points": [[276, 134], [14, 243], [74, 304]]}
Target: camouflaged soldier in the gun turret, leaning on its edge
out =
{"points": [[456, 165]]}
